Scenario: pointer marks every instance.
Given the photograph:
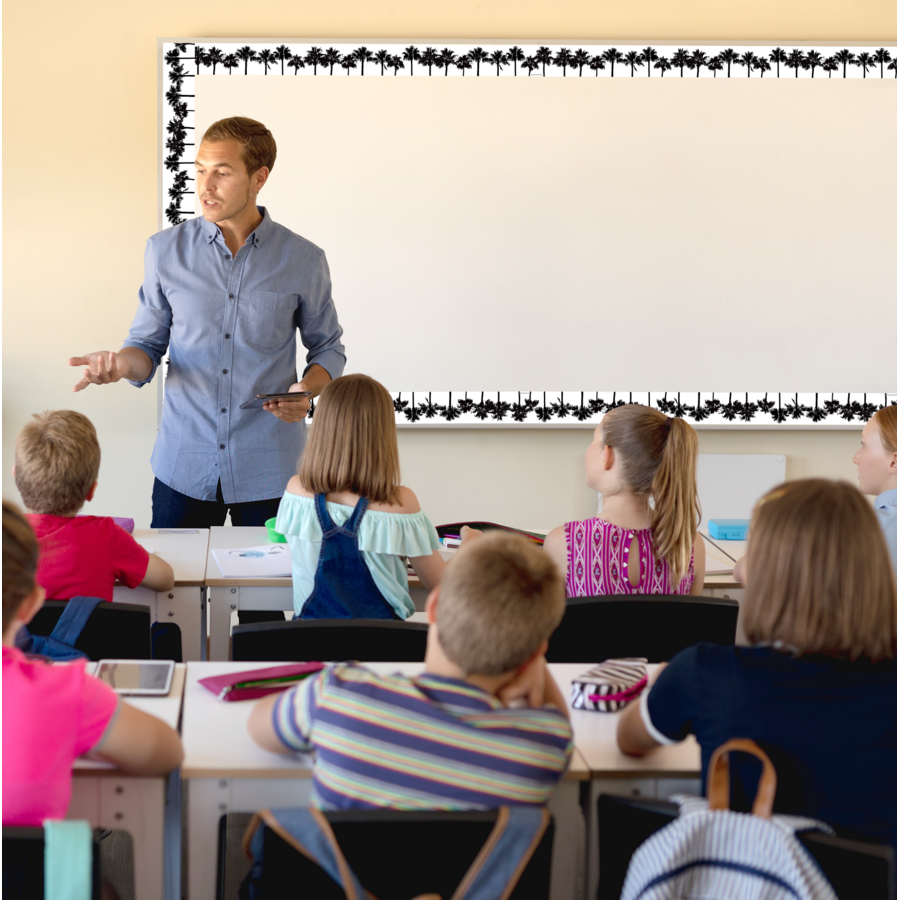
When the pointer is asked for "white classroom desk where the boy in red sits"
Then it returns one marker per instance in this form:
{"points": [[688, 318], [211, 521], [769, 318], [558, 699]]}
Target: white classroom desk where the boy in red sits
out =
{"points": [[185, 605]]}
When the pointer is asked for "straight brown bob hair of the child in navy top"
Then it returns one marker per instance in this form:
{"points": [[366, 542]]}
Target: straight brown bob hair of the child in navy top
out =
{"points": [[819, 576]]}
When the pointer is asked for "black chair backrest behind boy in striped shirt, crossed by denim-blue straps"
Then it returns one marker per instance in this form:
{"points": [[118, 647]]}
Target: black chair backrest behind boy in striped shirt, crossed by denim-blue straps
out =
{"points": [[417, 847]]}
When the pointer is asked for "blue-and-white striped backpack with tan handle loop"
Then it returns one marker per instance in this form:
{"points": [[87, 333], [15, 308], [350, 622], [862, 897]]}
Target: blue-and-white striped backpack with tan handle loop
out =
{"points": [[712, 853]]}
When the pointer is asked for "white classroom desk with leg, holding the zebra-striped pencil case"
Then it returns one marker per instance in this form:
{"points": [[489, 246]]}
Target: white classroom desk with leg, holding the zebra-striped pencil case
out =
{"points": [[666, 771]]}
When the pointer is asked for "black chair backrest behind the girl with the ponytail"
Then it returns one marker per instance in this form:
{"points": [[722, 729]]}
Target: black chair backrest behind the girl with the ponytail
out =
{"points": [[655, 626]]}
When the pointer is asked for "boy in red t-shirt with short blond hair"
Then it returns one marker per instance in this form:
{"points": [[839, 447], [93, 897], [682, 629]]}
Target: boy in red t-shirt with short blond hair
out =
{"points": [[57, 461]]}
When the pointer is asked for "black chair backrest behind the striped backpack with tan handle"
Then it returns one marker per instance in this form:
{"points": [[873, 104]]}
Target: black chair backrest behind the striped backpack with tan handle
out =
{"points": [[854, 868]]}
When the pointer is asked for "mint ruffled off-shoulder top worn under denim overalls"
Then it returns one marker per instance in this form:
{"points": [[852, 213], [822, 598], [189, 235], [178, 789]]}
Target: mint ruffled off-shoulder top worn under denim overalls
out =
{"points": [[384, 538]]}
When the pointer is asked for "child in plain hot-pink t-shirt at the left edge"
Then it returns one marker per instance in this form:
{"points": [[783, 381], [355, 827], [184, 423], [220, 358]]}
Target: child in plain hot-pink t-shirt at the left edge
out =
{"points": [[55, 713]]}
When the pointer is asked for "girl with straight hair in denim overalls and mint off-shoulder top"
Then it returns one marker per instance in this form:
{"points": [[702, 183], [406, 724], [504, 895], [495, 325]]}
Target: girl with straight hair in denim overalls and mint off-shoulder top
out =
{"points": [[348, 521]]}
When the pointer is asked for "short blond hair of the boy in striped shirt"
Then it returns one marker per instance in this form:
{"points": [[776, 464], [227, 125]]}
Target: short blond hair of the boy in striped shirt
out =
{"points": [[500, 598]]}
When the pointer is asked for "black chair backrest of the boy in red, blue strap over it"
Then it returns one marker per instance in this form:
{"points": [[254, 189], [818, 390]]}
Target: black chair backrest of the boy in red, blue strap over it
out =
{"points": [[114, 630]]}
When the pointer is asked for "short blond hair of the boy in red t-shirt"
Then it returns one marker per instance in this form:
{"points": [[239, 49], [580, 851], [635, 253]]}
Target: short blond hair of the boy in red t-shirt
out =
{"points": [[57, 461]]}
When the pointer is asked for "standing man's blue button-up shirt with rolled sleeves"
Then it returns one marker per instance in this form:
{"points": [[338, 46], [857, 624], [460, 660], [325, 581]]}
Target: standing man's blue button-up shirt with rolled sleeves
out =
{"points": [[229, 326]]}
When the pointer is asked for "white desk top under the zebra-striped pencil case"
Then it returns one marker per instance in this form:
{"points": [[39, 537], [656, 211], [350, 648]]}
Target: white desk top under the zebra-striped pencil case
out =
{"points": [[595, 738]]}
